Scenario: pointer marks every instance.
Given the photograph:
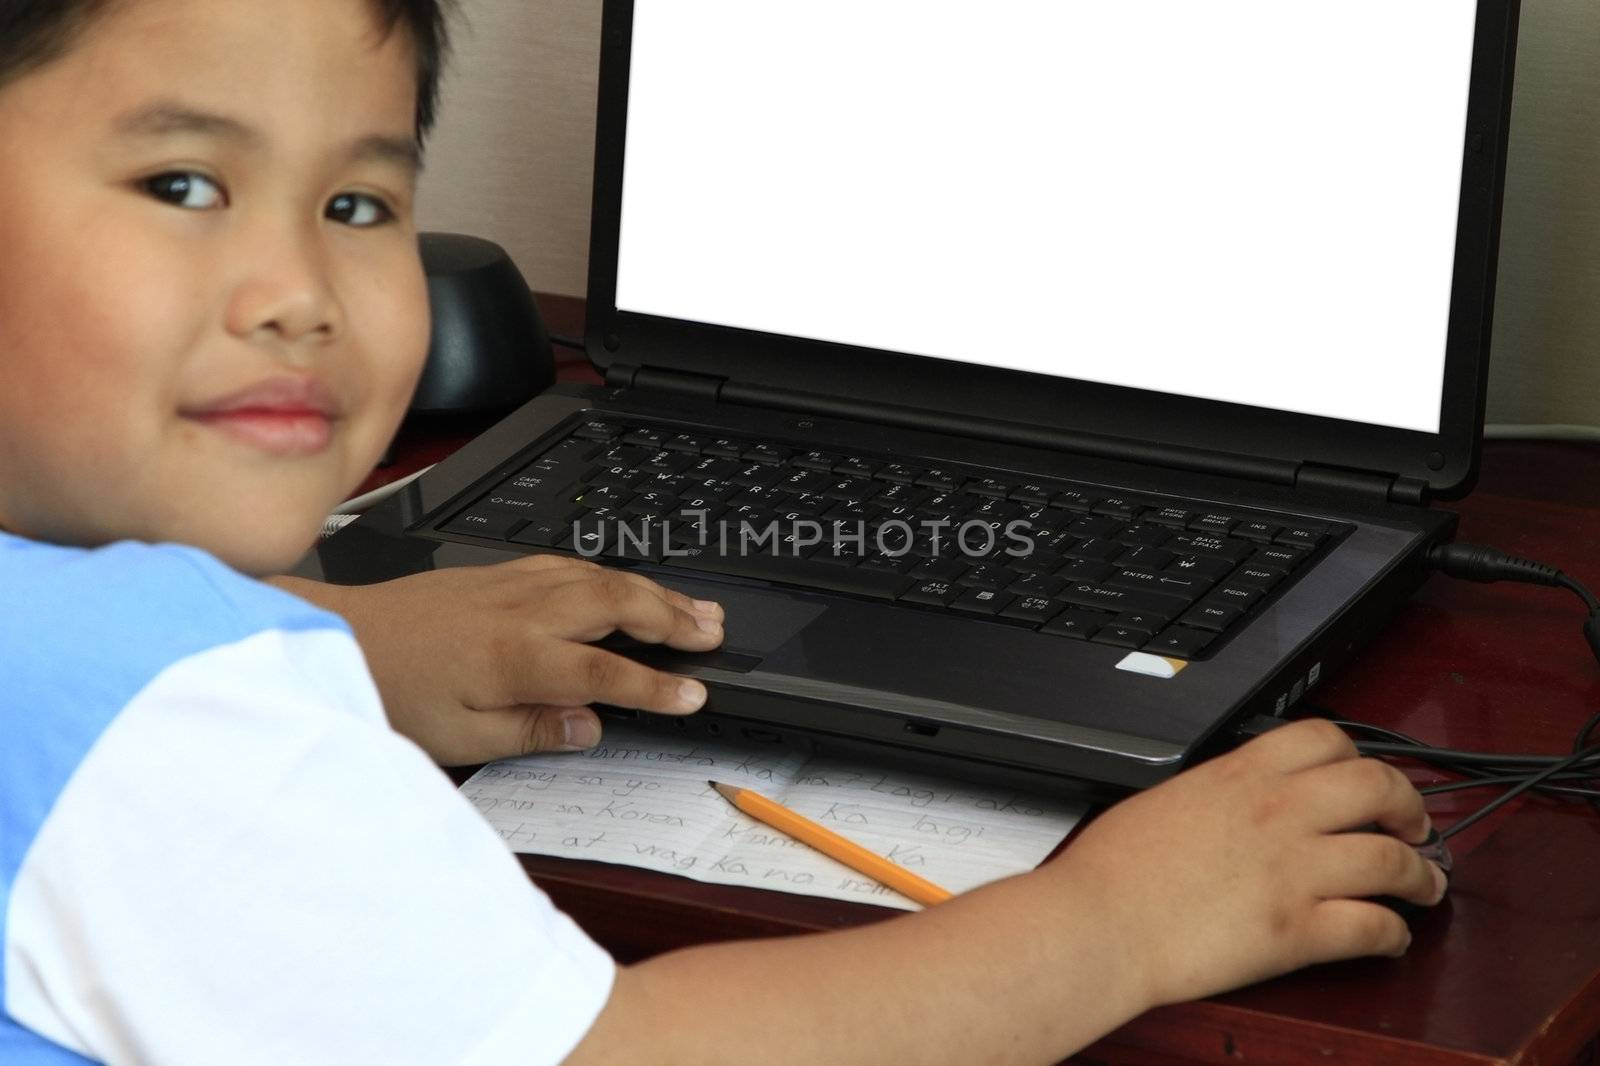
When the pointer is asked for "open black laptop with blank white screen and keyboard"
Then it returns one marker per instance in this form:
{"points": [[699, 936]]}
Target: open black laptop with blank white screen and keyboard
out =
{"points": [[1042, 388]]}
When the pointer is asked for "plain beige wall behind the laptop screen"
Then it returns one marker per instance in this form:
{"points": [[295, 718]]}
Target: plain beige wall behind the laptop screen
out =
{"points": [[513, 162]]}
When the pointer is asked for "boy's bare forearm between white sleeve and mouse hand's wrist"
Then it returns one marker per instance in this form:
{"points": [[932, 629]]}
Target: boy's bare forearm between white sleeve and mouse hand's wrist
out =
{"points": [[1026, 971]]}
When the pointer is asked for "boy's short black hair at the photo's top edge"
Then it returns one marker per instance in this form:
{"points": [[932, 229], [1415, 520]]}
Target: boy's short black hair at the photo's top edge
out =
{"points": [[34, 33]]}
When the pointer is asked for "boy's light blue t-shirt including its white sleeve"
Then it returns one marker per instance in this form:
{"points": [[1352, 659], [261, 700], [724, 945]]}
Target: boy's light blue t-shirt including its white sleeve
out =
{"points": [[215, 851]]}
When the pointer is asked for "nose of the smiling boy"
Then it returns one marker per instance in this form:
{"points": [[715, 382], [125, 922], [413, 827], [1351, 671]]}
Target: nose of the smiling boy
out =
{"points": [[286, 297]]}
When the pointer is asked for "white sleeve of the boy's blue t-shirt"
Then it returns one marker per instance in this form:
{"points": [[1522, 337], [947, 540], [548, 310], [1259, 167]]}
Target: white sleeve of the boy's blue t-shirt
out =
{"points": [[249, 867]]}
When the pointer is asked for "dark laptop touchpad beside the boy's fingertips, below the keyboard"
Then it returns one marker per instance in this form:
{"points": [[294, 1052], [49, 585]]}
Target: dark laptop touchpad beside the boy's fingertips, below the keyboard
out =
{"points": [[756, 625]]}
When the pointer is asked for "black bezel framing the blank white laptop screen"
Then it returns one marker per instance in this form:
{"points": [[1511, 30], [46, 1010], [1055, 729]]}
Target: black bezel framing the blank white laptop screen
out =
{"points": [[1446, 462]]}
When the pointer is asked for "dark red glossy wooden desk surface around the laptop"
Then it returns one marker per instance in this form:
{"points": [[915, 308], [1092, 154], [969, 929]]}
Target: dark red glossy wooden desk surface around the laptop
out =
{"points": [[1508, 971]]}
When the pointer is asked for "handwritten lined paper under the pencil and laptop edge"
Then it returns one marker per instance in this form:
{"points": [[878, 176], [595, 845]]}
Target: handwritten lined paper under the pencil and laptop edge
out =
{"points": [[642, 799]]}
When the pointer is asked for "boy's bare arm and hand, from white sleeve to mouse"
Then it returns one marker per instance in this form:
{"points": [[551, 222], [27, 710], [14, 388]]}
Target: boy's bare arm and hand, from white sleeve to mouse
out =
{"points": [[1230, 875]]}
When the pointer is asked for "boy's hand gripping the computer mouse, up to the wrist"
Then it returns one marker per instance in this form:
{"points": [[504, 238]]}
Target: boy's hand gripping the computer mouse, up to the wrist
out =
{"points": [[1244, 868]]}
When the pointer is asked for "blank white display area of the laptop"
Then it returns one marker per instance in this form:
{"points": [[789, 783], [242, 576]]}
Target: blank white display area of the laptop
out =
{"points": [[1246, 201]]}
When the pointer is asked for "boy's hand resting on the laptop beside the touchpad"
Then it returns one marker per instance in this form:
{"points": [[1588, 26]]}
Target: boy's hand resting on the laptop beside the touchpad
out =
{"points": [[481, 663]]}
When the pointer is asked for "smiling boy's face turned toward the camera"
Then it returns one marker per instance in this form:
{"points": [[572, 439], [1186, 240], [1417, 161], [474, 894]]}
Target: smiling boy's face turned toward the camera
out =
{"points": [[212, 308]]}
